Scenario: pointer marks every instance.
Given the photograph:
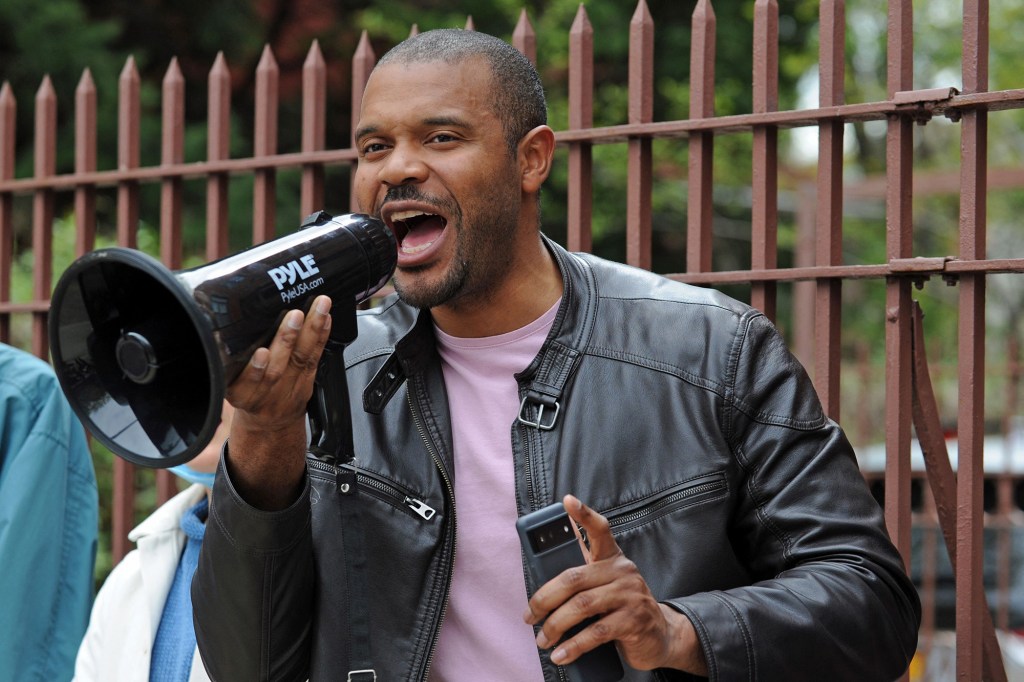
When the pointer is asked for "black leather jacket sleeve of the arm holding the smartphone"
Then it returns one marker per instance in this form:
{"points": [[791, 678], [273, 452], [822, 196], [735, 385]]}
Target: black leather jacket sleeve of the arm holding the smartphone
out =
{"points": [[832, 600]]}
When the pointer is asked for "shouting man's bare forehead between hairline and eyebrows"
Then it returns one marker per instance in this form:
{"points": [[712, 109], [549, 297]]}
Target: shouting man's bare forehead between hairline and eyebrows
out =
{"points": [[426, 91]]}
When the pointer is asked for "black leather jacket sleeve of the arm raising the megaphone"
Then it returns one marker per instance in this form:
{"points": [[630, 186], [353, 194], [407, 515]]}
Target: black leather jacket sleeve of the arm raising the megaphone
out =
{"points": [[252, 593]]}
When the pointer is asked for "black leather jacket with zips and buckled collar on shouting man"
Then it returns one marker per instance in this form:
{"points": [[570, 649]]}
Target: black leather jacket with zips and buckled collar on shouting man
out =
{"points": [[675, 411]]}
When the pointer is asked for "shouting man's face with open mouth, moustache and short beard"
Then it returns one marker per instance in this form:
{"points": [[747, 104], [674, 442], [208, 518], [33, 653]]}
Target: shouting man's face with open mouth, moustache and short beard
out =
{"points": [[436, 167]]}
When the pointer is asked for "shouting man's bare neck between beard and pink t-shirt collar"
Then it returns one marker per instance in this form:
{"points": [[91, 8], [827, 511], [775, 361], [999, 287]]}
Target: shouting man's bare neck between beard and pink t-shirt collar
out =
{"points": [[532, 288]]}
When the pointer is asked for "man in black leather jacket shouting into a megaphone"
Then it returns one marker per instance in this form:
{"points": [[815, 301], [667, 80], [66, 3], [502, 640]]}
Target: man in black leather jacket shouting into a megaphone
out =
{"points": [[737, 539]]}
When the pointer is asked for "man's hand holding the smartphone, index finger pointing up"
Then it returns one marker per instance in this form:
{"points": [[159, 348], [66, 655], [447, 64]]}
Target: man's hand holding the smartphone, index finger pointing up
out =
{"points": [[649, 635]]}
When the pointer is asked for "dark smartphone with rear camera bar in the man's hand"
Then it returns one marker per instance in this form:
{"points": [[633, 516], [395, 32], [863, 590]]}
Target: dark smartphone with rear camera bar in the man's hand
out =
{"points": [[550, 545]]}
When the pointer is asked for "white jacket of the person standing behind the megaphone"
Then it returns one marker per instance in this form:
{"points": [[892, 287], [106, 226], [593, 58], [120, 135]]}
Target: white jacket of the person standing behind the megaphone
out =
{"points": [[126, 614]]}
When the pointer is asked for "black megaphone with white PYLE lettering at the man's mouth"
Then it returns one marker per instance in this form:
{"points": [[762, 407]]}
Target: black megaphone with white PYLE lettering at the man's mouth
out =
{"points": [[145, 355]]}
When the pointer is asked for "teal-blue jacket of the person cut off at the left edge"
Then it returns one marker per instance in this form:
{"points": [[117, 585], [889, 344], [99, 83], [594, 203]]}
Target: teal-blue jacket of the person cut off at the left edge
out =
{"points": [[50, 519]]}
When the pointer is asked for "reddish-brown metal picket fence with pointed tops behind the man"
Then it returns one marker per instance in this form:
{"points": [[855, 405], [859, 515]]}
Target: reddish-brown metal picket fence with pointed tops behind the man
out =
{"points": [[955, 500]]}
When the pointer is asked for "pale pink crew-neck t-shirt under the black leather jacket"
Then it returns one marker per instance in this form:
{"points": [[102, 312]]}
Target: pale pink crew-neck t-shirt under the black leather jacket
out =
{"points": [[484, 637]]}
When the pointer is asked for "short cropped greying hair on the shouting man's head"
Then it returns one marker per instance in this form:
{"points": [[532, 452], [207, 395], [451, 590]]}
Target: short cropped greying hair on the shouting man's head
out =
{"points": [[518, 95]]}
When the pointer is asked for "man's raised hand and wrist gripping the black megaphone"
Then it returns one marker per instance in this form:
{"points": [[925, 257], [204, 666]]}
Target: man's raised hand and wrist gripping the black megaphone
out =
{"points": [[268, 444]]}
